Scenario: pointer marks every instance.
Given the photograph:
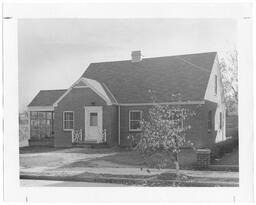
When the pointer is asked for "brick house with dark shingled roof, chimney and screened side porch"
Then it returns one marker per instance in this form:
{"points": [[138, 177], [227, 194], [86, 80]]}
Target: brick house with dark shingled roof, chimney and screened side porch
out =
{"points": [[107, 102]]}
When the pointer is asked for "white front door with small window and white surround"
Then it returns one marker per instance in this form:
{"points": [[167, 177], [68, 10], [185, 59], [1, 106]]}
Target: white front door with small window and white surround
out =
{"points": [[93, 124]]}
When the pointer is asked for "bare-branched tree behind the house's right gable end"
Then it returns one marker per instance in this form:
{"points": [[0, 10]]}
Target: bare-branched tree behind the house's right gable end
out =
{"points": [[229, 69]]}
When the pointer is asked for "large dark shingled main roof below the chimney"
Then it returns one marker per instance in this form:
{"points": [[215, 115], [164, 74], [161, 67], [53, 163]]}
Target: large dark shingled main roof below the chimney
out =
{"points": [[130, 82]]}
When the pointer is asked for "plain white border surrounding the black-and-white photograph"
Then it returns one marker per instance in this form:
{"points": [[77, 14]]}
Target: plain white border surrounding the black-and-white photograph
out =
{"points": [[242, 12]]}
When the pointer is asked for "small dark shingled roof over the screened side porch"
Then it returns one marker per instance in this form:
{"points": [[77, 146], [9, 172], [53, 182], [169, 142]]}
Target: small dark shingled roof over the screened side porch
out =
{"points": [[46, 97]]}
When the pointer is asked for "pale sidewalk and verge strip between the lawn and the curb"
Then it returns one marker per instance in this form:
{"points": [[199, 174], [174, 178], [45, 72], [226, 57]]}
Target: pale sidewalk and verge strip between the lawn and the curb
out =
{"points": [[136, 176]]}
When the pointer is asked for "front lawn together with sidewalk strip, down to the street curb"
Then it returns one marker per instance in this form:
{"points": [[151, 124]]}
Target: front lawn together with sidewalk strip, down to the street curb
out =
{"points": [[115, 165]]}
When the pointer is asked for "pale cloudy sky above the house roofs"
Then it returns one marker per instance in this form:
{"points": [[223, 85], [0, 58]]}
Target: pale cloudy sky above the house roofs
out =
{"points": [[54, 53]]}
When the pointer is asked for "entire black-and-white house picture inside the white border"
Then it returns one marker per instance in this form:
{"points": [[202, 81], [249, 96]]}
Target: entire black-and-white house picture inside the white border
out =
{"points": [[128, 102]]}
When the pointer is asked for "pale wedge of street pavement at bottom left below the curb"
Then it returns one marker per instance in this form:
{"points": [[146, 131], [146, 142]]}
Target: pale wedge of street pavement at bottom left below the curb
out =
{"points": [[39, 183]]}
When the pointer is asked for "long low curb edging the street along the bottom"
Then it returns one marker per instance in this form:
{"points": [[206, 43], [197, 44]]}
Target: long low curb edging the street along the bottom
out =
{"points": [[129, 181]]}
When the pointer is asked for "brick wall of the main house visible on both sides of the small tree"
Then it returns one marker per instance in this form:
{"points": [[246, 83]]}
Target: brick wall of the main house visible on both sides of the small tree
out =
{"points": [[198, 134]]}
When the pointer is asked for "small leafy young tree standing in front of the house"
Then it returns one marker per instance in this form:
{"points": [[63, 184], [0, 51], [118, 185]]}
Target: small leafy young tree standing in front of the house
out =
{"points": [[164, 131]]}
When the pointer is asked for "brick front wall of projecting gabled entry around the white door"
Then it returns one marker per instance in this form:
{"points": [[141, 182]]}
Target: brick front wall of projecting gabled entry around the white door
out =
{"points": [[75, 101]]}
